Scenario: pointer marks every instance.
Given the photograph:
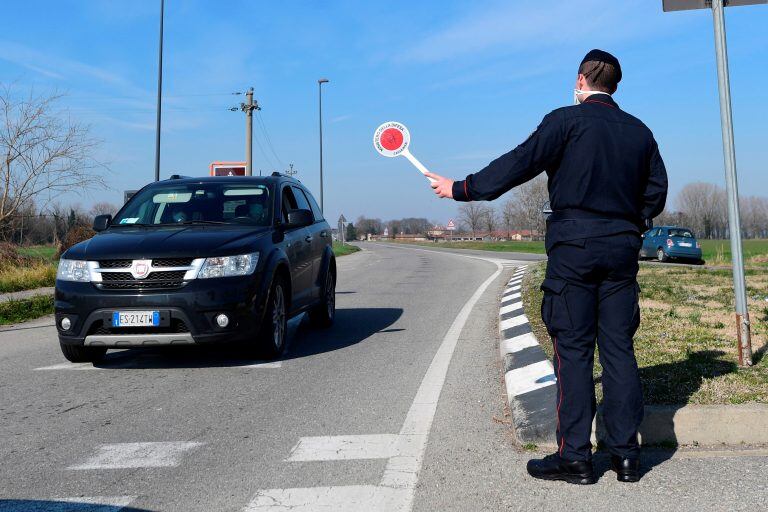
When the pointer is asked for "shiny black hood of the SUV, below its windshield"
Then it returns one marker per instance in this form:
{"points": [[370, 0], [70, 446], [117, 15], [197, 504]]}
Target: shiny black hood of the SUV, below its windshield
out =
{"points": [[171, 242]]}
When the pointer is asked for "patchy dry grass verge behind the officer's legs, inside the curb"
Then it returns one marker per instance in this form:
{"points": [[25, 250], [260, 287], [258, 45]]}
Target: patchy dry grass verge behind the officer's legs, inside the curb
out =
{"points": [[685, 347]]}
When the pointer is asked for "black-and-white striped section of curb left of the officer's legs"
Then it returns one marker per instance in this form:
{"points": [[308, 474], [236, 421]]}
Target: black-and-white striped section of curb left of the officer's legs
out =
{"points": [[529, 376]]}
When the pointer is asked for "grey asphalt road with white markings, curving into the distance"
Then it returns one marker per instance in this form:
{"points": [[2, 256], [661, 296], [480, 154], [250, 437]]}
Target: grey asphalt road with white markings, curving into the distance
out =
{"points": [[399, 406]]}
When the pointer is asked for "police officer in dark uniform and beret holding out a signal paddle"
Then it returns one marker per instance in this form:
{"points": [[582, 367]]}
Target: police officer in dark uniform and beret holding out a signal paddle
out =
{"points": [[606, 179]]}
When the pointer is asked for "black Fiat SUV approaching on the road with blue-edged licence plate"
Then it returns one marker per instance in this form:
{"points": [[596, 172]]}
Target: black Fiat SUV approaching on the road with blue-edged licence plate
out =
{"points": [[198, 260]]}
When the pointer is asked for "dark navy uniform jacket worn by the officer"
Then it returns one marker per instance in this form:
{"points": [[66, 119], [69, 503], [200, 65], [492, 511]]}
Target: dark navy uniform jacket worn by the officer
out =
{"points": [[605, 173]]}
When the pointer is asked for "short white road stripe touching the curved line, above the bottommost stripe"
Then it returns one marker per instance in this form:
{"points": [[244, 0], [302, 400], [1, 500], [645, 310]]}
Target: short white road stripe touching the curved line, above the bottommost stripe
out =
{"points": [[376, 446]]}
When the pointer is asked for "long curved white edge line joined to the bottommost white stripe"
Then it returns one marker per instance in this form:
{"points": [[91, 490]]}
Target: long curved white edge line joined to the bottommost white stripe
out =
{"points": [[396, 490]]}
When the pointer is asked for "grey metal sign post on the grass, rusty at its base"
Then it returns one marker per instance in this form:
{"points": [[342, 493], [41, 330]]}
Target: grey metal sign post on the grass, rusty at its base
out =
{"points": [[729, 155]]}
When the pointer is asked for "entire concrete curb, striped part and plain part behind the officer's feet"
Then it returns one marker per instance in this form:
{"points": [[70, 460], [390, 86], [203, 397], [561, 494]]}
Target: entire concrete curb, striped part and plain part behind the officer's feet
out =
{"points": [[531, 394]]}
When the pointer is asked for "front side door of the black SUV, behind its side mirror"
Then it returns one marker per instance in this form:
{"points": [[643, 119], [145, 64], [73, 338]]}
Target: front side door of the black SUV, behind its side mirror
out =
{"points": [[299, 250]]}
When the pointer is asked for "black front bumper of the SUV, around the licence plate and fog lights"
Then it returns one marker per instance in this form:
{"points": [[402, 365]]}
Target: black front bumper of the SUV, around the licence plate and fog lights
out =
{"points": [[187, 314]]}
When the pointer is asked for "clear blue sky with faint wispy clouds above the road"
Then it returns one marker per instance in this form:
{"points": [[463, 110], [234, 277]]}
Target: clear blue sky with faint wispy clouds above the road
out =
{"points": [[470, 79]]}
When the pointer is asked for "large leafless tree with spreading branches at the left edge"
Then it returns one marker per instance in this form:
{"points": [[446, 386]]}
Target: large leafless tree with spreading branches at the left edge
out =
{"points": [[45, 154]]}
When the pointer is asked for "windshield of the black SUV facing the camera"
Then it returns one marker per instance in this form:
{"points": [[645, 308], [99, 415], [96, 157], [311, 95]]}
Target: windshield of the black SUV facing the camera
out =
{"points": [[197, 203]]}
